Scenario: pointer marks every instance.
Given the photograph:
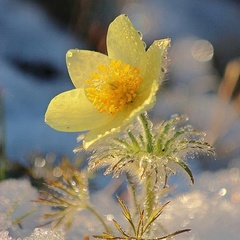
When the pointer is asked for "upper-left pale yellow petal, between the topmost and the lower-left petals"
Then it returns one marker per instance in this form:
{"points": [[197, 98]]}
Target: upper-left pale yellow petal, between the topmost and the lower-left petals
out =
{"points": [[81, 63]]}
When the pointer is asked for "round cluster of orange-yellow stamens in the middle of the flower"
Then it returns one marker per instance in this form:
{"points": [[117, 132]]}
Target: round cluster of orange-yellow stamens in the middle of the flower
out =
{"points": [[114, 86]]}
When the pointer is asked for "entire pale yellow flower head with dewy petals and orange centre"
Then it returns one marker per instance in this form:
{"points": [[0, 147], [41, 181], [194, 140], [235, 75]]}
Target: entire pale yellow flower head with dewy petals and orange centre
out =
{"points": [[110, 90]]}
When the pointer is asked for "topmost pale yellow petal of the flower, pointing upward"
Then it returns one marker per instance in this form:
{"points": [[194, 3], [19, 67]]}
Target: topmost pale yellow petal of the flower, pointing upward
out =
{"points": [[124, 43]]}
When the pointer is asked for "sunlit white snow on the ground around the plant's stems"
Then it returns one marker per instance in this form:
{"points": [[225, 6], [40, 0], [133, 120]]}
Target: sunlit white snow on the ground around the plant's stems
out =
{"points": [[210, 209]]}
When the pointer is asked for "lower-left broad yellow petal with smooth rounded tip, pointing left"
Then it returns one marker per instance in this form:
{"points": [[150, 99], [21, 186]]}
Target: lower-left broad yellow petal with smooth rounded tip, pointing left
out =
{"points": [[71, 111]]}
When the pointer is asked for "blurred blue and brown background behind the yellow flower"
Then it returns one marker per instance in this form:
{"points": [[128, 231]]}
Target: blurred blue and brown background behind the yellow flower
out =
{"points": [[202, 79]]}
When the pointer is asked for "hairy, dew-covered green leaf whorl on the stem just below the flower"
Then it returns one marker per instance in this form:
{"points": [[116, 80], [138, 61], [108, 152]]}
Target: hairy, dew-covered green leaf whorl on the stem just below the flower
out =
{"points": [[145, 150]]}
